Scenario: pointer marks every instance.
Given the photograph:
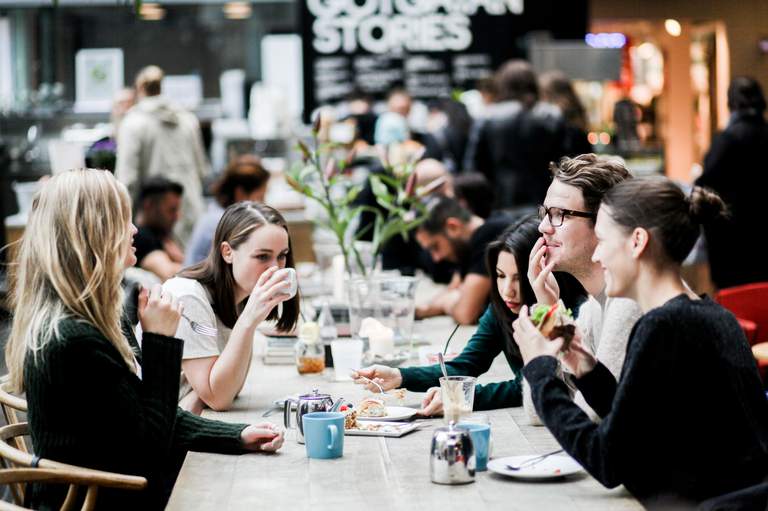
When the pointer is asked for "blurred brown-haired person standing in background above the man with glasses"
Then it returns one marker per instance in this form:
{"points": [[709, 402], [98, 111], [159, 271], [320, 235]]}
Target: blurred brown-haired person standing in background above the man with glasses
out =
{"points": [[557, 89]]}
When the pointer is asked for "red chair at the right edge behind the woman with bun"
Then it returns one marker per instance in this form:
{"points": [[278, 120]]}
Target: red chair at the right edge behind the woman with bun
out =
{"points": [[749, 303]]}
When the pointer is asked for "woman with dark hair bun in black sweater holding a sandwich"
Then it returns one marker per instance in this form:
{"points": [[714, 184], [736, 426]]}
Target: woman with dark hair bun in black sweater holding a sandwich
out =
{"points": [[688, 418]]}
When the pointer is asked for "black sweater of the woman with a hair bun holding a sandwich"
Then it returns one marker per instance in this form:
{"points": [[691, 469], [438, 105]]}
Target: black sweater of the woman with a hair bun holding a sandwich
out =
{"points": [[687, 420]]}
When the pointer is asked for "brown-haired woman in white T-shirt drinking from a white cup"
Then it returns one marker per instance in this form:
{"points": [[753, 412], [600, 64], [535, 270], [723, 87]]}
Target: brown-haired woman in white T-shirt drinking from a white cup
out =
{"points": [[248, 273]]}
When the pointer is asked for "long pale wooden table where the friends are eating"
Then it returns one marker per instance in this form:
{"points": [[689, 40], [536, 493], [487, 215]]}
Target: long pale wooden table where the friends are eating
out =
{"points": [[375, 472]]}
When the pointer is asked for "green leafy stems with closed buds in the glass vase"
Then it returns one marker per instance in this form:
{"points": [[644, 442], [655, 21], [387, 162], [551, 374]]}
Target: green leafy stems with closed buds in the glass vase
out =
{"points": [[322, 176]]}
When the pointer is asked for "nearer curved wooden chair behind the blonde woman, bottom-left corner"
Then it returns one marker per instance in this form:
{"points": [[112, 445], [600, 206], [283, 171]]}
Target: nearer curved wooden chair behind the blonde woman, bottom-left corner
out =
{"points": [[26, 468]]}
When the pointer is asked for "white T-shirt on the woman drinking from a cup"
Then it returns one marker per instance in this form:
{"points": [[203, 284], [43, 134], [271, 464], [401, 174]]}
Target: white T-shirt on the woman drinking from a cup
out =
{"points": [[197, 307]]}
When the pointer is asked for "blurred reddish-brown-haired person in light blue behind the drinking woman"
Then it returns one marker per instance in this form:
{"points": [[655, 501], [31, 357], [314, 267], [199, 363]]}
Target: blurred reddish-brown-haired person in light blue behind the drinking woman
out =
{"points": [[244, 179]]}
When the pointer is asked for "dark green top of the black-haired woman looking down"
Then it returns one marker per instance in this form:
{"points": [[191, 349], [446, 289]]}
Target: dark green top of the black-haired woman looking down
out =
{"points": [[476, 358]]}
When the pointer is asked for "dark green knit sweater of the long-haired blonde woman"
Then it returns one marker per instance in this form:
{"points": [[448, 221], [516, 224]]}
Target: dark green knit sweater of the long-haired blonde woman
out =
{"points": [[87, 408]]}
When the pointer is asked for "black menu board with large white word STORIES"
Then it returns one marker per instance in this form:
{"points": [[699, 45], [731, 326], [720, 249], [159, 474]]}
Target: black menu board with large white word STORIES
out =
{"points": [[429, 47]]}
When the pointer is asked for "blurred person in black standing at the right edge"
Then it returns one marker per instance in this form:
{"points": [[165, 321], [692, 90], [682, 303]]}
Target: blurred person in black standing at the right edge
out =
{"points": [[735, 168]]}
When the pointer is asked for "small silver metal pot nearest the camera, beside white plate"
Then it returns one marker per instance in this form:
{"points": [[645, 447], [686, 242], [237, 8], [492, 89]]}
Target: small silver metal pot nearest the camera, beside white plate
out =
{"points": [[452, 459]]}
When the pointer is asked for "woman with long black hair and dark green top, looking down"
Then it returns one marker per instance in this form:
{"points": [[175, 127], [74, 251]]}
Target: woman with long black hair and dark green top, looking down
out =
{"points": [[507, 259]]}
